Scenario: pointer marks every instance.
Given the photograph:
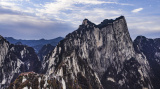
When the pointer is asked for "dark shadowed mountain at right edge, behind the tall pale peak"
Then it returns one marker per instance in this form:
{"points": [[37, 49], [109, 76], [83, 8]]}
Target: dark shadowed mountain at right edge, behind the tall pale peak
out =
{"points": [[150, 48]]}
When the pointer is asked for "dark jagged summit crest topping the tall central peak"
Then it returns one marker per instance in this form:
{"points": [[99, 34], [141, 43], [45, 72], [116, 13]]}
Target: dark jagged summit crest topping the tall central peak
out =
{"points": [[87, 25]]}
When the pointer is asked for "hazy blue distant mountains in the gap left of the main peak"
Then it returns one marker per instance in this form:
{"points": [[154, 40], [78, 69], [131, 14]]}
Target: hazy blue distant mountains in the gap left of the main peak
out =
{"points": [[36, 44]]}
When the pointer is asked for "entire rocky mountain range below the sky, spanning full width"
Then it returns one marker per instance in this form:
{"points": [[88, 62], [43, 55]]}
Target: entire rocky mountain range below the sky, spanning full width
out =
{"points": [[92, 57]]}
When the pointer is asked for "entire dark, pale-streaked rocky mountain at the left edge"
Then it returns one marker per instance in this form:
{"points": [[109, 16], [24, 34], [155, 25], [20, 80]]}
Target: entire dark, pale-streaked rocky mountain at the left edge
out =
{"points": [[14, 60]]}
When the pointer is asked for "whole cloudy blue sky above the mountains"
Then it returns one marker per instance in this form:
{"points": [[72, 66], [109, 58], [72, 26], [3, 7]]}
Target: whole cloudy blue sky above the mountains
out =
{"points": [[36, 19]]}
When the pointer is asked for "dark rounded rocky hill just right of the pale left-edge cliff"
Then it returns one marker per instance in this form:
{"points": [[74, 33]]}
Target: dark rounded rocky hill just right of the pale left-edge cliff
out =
{"points": [[28, 56]]}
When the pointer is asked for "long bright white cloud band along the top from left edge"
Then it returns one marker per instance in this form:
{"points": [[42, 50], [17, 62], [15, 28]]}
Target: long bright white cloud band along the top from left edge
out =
{"points": [[55, 9]]}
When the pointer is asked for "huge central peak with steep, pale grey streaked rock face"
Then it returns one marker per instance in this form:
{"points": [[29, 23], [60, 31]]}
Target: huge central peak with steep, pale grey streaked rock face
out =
{"points": [[100, 54]]}
